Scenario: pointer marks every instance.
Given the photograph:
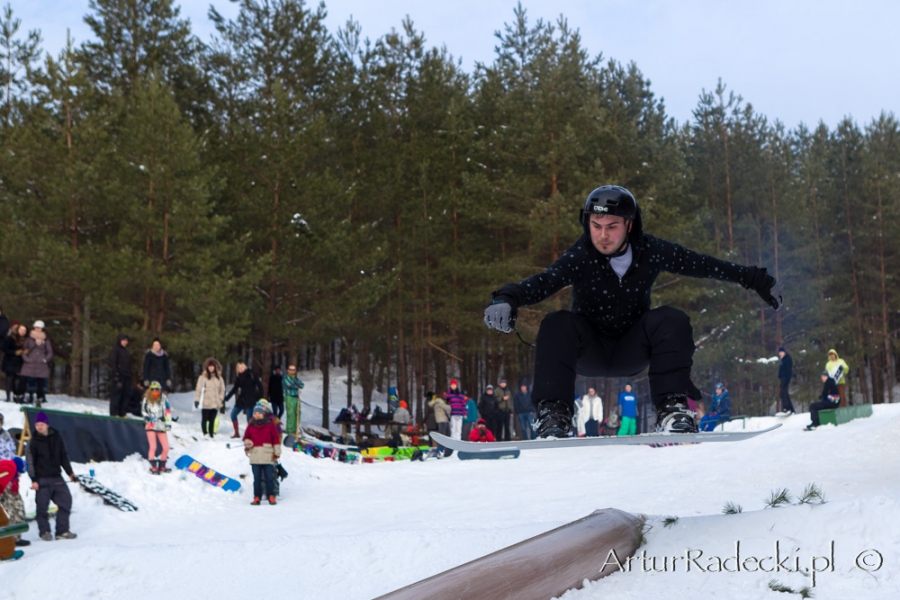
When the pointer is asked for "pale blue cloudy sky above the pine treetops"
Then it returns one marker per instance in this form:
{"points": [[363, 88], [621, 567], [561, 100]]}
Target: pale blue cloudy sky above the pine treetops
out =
{"points": [[794, 60]]}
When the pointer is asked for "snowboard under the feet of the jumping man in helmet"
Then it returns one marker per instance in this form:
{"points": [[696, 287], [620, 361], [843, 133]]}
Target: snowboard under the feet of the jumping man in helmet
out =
{"points": [[628, 440]]}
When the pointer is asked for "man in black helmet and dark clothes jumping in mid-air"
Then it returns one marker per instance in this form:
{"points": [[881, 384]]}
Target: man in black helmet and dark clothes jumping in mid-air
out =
{"points": [[611, 330]]}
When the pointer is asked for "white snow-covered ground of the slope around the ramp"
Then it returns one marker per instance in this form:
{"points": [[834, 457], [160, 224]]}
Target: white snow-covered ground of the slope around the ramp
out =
{"points": [[348, 532]]}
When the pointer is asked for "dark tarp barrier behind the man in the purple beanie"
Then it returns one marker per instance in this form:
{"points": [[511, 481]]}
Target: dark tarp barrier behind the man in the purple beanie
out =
{"points": [[94, 437]]}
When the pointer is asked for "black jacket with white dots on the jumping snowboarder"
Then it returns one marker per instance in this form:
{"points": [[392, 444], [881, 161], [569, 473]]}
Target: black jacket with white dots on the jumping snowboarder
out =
{"points": [[614, 304]]}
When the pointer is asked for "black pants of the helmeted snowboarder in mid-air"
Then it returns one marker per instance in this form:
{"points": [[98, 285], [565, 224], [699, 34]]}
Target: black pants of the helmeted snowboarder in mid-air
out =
{"points": [[569, 344]]}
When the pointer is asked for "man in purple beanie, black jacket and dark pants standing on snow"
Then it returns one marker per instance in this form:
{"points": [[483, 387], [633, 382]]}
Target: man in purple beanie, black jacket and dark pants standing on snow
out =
{"points": [[46, 454]]}
